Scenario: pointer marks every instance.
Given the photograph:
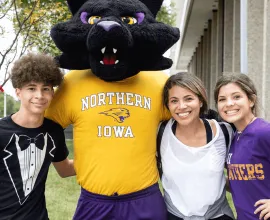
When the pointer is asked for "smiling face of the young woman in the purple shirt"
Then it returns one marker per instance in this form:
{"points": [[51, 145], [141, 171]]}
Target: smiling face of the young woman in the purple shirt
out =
{"points": [[234, 106]]}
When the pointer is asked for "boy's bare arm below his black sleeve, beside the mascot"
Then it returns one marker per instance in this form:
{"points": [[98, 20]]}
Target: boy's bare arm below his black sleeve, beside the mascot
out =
{"points": [[65, 168]]}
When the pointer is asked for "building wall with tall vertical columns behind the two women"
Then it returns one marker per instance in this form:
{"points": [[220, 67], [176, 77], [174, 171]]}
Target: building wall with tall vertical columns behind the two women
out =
{"points": [[219, 49]]}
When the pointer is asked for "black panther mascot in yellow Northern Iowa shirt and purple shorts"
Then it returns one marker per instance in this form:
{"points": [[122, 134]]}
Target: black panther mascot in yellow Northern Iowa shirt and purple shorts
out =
{"points": [[112, 97]]}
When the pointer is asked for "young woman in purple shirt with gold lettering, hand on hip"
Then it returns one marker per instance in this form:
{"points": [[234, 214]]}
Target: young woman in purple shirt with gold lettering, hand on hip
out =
{"points": [[248, 159]]}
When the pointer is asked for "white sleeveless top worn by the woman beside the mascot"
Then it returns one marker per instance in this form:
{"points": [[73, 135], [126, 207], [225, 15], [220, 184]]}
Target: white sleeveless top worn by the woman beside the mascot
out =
{"points": [[193, 177]]}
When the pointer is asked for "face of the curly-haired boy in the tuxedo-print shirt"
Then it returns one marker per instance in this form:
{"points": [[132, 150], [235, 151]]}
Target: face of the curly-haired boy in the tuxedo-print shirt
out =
{"points": [[35, 98]]}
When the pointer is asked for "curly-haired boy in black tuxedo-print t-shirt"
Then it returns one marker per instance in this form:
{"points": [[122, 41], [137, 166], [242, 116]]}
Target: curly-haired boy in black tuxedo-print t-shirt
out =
{"points": [[29, 142]]}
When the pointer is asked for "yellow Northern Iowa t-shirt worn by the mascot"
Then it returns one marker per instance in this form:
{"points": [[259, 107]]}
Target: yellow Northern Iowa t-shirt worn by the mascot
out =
{"points": [[115, 126]]}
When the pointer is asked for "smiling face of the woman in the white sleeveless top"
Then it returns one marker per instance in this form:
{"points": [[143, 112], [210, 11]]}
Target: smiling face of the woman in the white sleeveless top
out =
{"points": [[184, 105]]}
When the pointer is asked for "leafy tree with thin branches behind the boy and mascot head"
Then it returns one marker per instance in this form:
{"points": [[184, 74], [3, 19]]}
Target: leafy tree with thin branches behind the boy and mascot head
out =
{"points": [[32, 21]]}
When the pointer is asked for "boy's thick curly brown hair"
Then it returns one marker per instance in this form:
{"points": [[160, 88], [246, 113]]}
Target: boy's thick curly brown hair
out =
{"points": [[38, 68]]}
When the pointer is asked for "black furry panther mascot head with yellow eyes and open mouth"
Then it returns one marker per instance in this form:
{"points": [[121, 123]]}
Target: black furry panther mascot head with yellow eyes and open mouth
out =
{"points": [[115, 38]]}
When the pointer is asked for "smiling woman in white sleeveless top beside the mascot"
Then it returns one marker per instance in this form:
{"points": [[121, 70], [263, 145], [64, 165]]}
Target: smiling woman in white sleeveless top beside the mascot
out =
{"points": [[193, 154]]}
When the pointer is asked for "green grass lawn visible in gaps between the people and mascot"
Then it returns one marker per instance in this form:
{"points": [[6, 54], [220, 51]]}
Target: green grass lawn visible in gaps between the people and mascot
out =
{"points": [[62, 194]]}
